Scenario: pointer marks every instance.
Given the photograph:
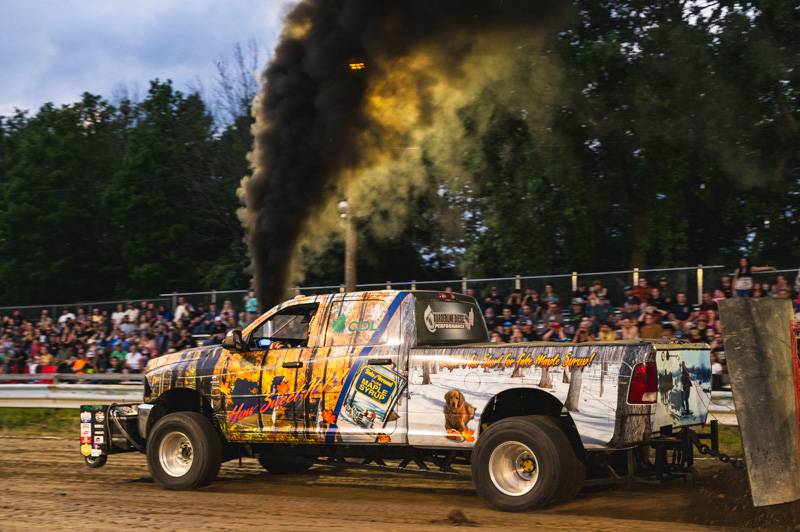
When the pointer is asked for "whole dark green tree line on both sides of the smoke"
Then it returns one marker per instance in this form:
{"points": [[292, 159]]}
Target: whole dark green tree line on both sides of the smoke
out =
{"points": [[673, 139]]}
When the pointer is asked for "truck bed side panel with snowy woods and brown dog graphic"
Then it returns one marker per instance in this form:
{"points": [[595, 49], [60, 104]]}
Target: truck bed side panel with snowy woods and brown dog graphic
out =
{"points": [[450, 388]]}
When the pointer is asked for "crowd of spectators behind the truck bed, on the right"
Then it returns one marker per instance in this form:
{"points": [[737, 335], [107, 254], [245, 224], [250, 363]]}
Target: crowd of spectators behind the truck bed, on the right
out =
{"points": [[648, 310]]}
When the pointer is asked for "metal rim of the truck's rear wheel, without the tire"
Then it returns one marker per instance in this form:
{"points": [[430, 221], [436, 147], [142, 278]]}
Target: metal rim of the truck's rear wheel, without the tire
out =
{"points": [[513, 468]]}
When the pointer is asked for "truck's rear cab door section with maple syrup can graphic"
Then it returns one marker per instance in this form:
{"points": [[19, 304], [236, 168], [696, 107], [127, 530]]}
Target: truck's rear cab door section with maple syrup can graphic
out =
{"points": [[365, 391]]}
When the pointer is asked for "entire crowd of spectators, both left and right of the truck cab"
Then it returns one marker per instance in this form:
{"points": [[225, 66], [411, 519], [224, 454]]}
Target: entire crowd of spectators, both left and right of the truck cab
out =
{"points": [[122, 341]]}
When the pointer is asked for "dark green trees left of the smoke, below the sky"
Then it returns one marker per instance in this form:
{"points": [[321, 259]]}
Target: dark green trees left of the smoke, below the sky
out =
{"points": [[102, 201]]}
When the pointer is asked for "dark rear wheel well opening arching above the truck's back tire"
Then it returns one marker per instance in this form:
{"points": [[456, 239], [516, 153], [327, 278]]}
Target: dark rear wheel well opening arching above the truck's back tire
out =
{"points": [[528, 402]]}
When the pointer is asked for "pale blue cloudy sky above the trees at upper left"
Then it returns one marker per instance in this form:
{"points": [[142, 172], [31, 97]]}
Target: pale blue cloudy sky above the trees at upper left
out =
{"points": [[53, 50]]}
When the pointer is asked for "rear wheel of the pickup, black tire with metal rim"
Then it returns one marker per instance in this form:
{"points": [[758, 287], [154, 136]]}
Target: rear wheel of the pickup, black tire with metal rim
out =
{"points": [[516, 464]]}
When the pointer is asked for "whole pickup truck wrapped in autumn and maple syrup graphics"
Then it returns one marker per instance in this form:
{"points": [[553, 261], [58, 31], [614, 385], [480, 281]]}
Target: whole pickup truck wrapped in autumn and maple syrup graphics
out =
{"points": [[406, 375]]}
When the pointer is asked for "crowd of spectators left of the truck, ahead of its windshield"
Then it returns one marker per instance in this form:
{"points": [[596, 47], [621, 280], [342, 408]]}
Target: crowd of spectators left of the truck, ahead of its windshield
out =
{"points": [[122, 341]]}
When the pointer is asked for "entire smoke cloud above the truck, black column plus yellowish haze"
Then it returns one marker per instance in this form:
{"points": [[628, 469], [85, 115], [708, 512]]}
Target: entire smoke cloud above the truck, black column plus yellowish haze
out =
{"points": [[326, 129]]}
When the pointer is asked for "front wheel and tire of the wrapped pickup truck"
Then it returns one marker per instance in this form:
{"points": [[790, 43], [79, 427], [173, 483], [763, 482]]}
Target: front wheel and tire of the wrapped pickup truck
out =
{"points": [[184, 451]]}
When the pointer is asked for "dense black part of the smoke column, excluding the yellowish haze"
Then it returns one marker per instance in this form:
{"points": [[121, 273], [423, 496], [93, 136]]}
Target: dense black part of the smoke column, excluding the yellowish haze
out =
{"points": [[310, 119]]}
